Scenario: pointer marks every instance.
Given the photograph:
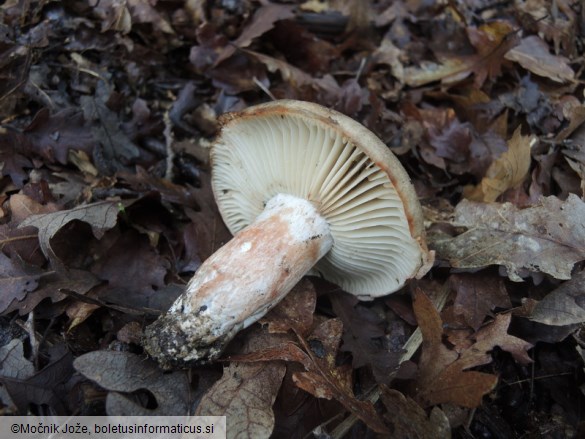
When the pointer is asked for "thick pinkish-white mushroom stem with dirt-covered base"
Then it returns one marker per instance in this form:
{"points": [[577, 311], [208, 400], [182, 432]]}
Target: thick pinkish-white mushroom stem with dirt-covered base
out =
{"points": [[241, 282]]}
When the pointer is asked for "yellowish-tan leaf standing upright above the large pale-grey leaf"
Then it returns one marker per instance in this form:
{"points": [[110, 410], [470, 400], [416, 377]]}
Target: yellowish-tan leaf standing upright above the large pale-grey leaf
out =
{"points": [[507, 172]]}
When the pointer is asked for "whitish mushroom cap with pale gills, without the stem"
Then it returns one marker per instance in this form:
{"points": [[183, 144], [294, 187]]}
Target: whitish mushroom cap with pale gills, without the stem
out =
{"points": [[350, 176]]}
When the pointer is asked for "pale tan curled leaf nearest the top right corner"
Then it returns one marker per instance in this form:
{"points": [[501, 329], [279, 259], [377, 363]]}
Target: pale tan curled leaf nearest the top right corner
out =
{"points": [[533, 54]]}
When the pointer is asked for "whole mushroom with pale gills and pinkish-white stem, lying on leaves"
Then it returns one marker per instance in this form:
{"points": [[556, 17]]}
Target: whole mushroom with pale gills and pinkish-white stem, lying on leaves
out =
{"points": [[304, 190]]}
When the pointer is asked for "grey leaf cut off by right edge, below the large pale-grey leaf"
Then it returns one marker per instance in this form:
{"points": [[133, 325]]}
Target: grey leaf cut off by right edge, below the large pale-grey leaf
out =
{"points": [[563, 306]]}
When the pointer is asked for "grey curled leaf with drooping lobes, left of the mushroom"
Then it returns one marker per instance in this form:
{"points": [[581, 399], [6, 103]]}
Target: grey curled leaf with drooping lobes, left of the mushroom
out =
{"points": [[101, 216]]}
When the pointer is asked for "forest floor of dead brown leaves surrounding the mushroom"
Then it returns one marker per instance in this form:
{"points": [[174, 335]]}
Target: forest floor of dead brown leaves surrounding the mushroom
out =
{"points": [[108, 109]]}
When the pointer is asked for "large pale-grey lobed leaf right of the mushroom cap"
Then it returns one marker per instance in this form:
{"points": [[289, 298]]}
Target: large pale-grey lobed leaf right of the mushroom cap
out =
{"points": [[546, 238]]}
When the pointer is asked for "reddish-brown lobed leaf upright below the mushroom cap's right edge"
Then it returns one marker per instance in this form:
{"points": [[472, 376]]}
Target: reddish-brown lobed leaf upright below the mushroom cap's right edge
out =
{"points": [[441, 376]]}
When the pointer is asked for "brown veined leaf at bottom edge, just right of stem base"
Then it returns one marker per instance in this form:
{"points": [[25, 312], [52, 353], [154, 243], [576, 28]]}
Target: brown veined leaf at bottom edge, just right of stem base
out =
{"points": [[245, 395]]}
